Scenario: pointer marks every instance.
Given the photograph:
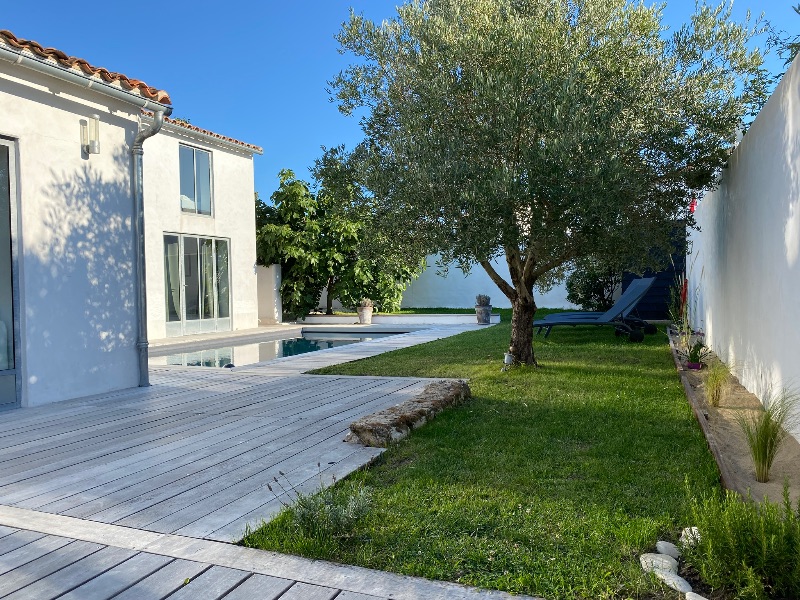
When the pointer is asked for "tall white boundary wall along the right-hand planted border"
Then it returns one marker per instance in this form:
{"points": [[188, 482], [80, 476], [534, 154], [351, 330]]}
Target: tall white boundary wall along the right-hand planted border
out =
{"points": [[744, 269]]}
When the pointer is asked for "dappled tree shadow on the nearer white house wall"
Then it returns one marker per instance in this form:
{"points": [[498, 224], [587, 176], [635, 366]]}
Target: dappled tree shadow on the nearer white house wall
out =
{"points": [[81, 291]]}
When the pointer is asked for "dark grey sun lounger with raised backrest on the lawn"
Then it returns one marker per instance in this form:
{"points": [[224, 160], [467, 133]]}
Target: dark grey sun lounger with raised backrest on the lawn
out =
{"points": [[617, 316]]}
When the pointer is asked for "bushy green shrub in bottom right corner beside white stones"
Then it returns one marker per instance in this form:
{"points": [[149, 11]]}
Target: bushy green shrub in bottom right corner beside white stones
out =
{"points": [[751, 550]]}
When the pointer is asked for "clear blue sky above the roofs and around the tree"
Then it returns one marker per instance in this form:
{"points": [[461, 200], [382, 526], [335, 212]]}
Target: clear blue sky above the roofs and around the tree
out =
{"points": [[255, 71]]}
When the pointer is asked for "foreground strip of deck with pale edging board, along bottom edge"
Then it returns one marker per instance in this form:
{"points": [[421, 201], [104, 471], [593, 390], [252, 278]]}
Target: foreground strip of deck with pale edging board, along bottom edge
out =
{"points": [[46, 556]]}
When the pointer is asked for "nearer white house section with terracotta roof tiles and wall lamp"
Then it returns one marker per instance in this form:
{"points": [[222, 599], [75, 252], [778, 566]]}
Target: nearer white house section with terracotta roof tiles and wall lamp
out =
{"points": [[68, 247]]}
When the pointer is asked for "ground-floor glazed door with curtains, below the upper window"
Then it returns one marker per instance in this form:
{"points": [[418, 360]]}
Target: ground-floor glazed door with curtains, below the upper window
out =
{"points": [[197, 284]]}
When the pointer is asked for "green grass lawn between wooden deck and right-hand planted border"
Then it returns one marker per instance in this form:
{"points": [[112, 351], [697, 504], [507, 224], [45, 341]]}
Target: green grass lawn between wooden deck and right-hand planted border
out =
{"points": [[548, 482]]}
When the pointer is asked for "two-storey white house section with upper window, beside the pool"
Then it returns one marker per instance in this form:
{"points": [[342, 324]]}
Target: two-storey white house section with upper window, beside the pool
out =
{"points": [[200, 232]]}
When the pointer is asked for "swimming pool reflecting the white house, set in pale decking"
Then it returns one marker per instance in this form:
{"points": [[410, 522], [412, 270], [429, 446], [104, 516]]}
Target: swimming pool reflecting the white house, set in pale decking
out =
{"points": [[248, 353]]}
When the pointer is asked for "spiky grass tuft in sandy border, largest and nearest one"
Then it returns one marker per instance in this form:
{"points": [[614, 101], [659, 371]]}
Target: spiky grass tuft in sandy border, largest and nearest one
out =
{"points": [[766, 430]]}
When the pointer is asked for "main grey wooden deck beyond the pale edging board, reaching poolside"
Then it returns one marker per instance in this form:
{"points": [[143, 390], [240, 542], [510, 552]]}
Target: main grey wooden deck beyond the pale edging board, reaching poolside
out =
{"points": [[193, 453]]}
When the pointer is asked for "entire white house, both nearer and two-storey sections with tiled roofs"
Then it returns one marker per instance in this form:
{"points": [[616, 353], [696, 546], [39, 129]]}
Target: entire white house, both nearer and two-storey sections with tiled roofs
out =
{"points": [[102, 247]]}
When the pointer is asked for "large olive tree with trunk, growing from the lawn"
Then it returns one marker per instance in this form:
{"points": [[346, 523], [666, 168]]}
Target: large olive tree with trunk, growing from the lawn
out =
{"points": [[543, 131]]}
